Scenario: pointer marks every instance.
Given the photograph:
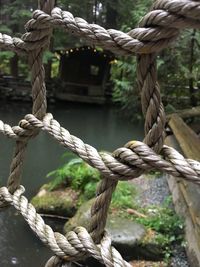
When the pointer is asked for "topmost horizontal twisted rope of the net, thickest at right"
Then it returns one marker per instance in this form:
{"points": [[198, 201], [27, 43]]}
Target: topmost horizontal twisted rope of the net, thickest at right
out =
{"points": [[157, 29]]}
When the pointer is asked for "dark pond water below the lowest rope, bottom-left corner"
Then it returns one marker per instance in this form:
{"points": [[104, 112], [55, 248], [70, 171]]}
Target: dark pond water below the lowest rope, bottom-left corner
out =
{"points": [[18, 245]]}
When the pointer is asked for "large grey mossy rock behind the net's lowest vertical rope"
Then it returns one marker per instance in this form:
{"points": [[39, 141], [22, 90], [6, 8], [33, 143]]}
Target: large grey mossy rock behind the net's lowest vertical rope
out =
{"points": [[129, 237]]}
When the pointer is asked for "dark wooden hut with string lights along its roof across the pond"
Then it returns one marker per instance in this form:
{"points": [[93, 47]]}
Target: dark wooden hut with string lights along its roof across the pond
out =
{"points": [[84, 75]]}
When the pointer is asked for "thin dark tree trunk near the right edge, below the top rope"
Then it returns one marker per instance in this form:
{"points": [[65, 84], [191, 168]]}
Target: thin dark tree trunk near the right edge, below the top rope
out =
{"points": [[191, 63]]}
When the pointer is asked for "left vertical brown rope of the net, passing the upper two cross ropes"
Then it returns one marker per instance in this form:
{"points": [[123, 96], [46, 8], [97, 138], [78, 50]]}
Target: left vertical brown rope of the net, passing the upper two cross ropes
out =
{"points": [[38, 95]]}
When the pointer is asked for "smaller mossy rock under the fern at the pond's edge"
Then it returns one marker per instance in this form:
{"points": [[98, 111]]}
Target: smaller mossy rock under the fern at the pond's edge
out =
{"points": [[62, 202]]}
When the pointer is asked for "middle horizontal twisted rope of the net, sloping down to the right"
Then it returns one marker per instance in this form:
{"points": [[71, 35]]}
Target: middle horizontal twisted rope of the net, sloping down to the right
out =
{"points": [[124, 163]]}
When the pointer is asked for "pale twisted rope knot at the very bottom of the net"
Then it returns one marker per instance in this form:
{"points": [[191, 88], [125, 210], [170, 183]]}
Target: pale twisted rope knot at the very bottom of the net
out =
{"points": [[83, 246]]}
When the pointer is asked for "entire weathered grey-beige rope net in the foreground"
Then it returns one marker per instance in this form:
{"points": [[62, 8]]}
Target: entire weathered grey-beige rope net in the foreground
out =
{"points": [[156, 31]]}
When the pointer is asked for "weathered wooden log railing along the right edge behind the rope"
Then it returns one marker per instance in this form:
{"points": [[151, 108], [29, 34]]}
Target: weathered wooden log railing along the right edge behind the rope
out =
{"points": [[185, 194]]}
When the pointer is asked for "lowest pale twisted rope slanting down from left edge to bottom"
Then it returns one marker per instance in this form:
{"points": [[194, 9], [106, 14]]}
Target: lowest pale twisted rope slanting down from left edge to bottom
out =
{"points": [[75, 244]]}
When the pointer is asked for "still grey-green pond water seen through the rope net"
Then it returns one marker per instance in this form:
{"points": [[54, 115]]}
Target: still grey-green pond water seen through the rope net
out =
{"points": [[102, 127]]}
